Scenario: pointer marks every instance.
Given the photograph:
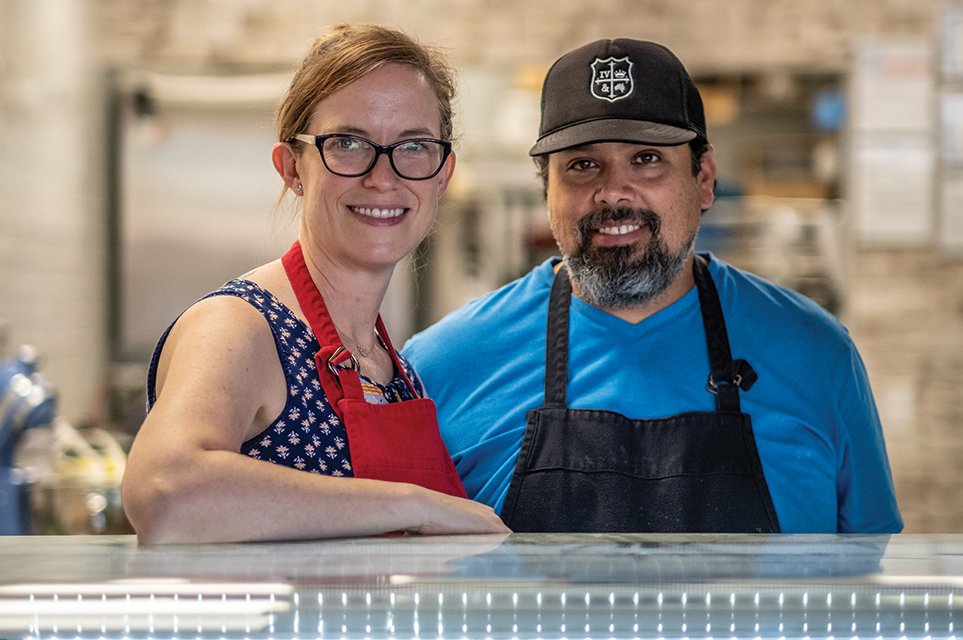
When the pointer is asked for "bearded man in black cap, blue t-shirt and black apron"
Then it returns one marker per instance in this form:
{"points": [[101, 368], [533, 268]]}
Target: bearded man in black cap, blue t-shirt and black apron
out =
{"points": [[634, 385]]}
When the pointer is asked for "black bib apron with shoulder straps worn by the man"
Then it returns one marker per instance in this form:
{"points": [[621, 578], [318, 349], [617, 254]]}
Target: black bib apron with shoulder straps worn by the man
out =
{"points": [[598, 471]]}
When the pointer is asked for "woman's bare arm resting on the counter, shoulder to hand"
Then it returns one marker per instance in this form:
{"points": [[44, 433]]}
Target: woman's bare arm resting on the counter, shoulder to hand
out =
{"points": [[219, 383]]}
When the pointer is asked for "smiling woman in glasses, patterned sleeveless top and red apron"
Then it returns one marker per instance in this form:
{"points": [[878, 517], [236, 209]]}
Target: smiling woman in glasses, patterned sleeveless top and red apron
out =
{"points": [[291, 364]]}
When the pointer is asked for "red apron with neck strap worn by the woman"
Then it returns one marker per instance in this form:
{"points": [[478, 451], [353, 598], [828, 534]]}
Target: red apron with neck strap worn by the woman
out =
{"points": [[398, 441]]}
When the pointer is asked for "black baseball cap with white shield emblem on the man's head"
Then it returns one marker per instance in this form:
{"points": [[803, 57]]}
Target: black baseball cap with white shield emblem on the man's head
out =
{"points": [[619, 90]]}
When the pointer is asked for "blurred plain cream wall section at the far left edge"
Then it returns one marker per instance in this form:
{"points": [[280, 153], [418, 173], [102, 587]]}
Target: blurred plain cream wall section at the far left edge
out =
{"points": [[51, 202]]}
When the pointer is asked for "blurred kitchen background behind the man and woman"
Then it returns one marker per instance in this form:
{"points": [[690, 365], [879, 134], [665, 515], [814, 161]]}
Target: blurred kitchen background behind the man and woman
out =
{"points": [[135, 176]]}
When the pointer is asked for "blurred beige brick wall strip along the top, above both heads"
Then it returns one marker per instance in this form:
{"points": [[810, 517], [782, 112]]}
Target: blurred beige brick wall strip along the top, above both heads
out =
{"points": [[711, 35]]}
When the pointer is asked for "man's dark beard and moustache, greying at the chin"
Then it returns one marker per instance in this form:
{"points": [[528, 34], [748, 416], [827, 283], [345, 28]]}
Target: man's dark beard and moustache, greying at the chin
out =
{"points": [[627, 275]]}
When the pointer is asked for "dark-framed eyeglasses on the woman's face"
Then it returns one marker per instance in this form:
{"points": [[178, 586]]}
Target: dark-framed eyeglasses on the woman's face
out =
{"points": [[353, 156]]}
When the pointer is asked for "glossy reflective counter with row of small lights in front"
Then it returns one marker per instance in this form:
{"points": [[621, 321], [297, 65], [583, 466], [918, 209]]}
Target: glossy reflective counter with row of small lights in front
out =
{"points": [[519, 586]]}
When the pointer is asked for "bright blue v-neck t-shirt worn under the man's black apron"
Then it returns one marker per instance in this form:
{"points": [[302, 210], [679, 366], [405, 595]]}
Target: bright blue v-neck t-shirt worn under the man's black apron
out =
{"points": [[816, 426]]}
